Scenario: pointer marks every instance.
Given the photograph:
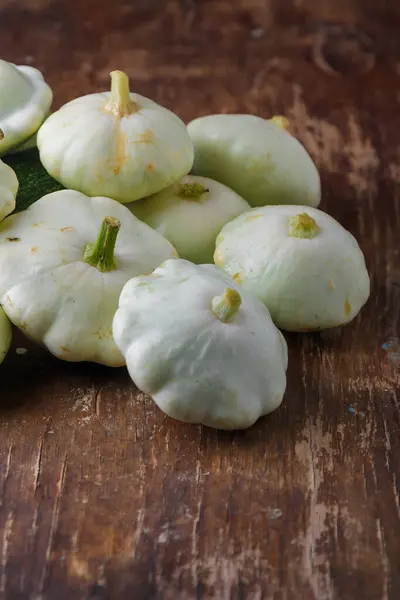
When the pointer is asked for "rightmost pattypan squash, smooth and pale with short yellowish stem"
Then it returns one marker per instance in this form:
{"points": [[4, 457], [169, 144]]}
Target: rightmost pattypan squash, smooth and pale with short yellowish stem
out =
{"points": [[307, 269]]}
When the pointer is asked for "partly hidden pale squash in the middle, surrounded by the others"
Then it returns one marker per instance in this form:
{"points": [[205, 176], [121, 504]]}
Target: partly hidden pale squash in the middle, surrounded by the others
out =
{"points": [[190, 214]]}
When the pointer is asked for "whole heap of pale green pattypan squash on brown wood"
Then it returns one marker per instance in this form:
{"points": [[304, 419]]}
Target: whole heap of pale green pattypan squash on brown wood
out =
{"points": [[118, 268]]}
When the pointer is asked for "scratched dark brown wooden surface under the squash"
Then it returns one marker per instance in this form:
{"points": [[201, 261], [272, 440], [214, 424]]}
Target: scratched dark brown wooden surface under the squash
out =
{"points": [[102, 497]]}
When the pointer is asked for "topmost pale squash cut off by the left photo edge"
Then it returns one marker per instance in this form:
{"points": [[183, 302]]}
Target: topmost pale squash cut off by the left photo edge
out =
{"points": [[25, 100]]}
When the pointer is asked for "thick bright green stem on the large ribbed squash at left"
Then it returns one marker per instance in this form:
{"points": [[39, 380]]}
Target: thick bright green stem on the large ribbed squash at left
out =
{"points": [[101, 254]]}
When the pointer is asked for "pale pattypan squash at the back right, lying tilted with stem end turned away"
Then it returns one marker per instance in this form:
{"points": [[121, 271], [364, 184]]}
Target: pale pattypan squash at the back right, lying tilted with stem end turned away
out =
{"points": [[257, 158]]}
